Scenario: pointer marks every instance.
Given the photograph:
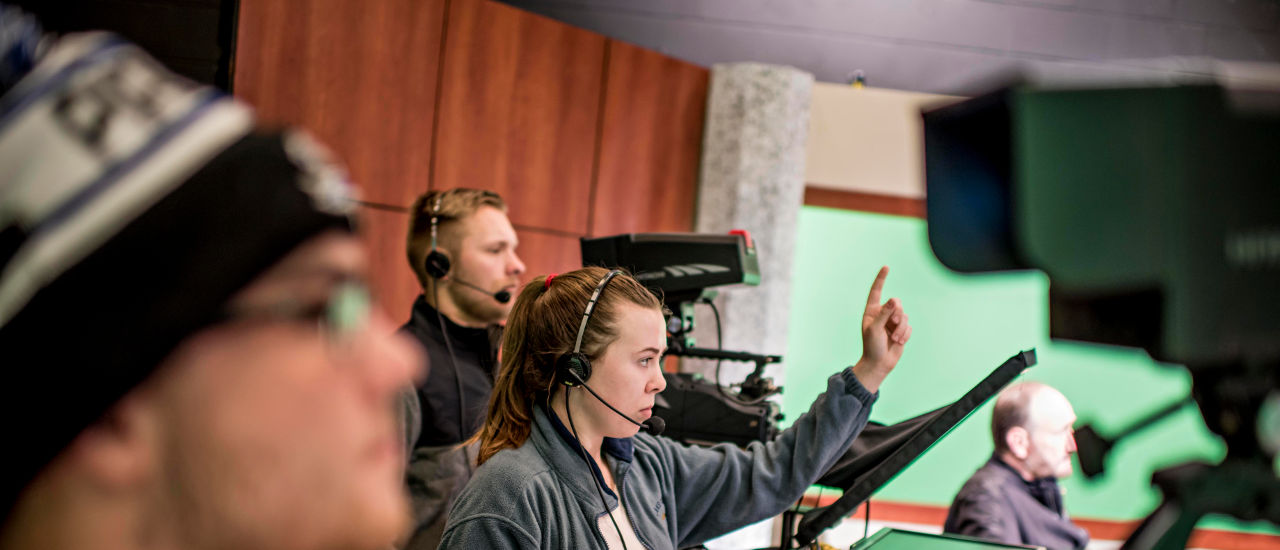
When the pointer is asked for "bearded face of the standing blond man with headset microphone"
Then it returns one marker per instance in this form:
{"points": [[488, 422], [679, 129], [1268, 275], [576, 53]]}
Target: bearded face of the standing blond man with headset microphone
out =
{"points": [[483, 254]]}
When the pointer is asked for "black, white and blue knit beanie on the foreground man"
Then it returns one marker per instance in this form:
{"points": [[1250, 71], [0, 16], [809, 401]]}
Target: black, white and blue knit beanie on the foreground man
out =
{"points": [[134, 205]]}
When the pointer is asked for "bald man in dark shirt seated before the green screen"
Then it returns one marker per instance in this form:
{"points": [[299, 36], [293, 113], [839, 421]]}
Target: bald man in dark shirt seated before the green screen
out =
{"points": [[1016, 498]]}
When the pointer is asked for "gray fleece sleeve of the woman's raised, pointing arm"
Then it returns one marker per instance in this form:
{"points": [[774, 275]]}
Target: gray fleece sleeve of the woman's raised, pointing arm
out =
{"points": [[725, 488]]}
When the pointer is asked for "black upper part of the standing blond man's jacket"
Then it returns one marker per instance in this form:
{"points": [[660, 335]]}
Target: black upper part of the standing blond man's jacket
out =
{"points": [[474, 360]]}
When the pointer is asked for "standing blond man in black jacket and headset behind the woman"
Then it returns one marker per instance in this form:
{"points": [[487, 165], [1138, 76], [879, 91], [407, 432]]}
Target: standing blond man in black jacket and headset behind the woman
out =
{"points": [[463, 249]]}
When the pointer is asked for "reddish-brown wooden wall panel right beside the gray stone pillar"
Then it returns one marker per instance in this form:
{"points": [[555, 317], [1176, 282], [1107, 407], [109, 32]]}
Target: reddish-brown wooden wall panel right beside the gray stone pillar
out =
{"points": [[651, 144]]}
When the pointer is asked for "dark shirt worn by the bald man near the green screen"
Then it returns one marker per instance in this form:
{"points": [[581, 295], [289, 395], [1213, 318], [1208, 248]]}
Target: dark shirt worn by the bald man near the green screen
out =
{"points": [[998, 505]]}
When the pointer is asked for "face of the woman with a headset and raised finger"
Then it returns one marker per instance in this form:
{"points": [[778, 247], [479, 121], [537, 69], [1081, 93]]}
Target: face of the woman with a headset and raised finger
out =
{"points": [[629, 373]]}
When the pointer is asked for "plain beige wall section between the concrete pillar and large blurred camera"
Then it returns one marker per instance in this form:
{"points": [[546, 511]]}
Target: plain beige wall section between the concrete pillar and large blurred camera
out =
{"points": [[868, 140]]}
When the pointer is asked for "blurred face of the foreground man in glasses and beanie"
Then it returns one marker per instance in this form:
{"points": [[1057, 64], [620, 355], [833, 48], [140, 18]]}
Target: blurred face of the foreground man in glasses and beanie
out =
{"points": [[280, 430]]}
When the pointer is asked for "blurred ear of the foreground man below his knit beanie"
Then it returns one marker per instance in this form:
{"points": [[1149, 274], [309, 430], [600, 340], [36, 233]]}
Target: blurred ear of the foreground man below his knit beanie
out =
{"points": [[121, 450]]}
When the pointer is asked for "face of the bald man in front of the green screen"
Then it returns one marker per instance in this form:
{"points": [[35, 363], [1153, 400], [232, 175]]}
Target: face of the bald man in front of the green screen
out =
{"points": [[1052, 438]]}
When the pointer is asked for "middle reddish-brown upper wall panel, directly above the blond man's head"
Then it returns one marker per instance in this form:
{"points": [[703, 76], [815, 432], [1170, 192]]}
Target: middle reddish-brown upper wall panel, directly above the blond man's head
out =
{"points": [[519, 111]]}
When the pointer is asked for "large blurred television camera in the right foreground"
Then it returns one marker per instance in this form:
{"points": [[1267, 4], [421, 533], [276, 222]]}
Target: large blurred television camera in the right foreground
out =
{"points": [[1154, 212]]}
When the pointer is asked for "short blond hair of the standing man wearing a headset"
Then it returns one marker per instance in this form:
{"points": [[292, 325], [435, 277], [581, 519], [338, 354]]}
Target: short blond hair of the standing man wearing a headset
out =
{"points": [[449, 207]]}
